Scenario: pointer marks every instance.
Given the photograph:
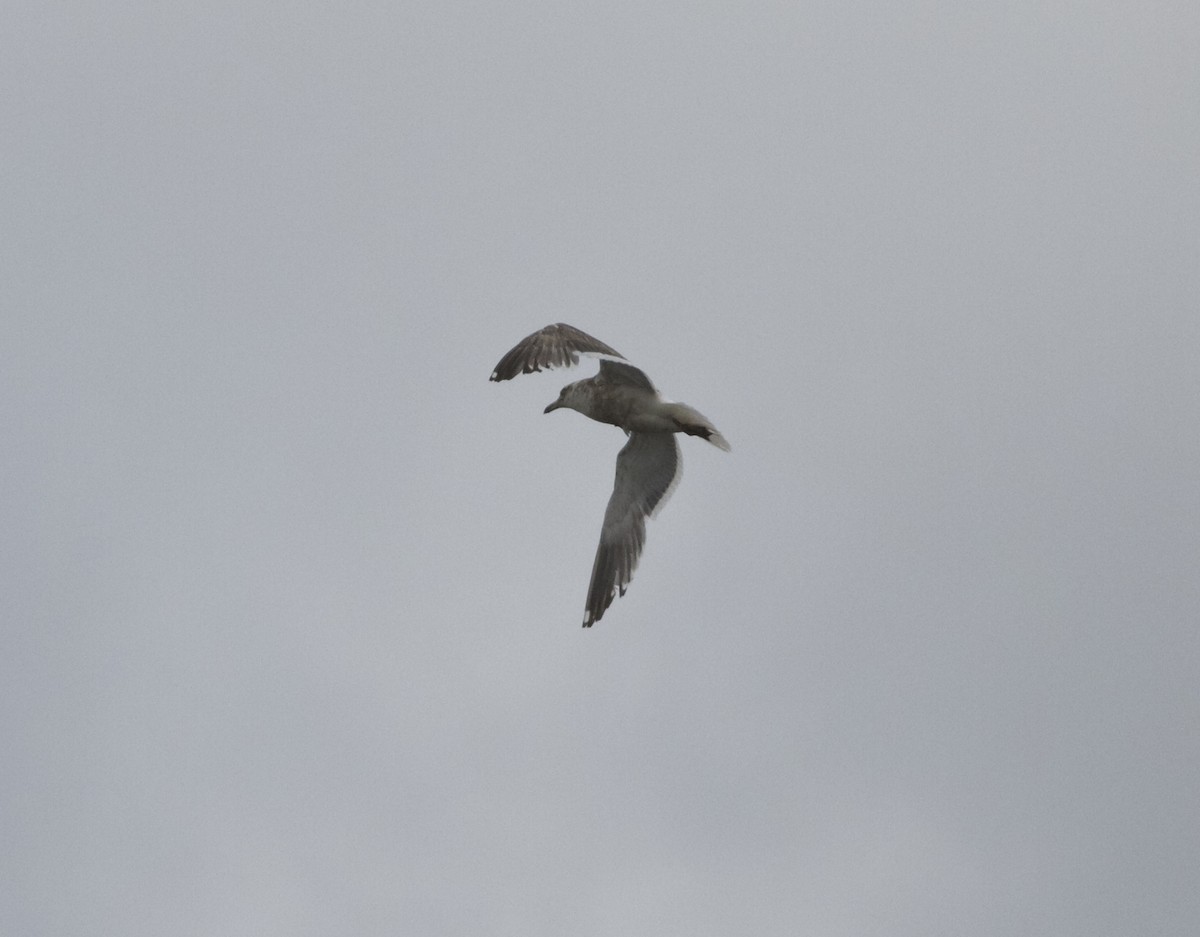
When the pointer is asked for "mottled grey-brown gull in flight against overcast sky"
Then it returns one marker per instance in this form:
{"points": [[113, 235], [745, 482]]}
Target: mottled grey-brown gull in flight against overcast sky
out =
{"points": [[650, 465]]}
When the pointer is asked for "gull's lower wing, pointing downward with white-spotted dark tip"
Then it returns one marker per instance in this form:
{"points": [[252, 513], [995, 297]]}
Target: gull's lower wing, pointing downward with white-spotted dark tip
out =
{"points": [[649, 468]]}
